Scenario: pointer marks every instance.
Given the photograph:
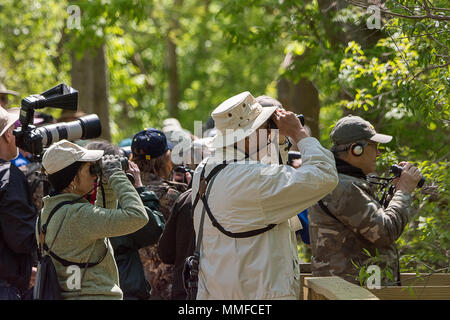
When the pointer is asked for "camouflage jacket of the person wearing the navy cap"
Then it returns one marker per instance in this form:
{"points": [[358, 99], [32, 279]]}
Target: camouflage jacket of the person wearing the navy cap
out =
{"points": [[158, 274]]}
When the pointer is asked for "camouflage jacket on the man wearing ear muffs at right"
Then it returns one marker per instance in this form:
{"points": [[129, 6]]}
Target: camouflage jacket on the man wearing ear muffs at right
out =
{"points": [[358, 227]]}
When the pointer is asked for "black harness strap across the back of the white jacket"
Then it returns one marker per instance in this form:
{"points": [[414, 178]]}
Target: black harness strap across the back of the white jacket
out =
{"points": [[215, 223]]}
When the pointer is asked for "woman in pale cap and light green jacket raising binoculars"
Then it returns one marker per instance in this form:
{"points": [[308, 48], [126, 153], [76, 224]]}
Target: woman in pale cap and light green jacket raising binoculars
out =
{"points": [[76, 236]]}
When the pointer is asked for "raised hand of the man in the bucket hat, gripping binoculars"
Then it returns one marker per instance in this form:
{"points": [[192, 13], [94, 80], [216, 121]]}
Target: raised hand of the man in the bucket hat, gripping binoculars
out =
{"points": [[289, 125]]}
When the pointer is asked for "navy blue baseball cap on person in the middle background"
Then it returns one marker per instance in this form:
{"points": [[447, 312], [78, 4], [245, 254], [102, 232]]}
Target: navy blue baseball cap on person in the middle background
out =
{"points": [[150, 142]]}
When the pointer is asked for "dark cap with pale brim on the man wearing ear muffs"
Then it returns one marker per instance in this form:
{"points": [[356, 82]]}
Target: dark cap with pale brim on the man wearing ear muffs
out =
{"points": [[353, 128]]}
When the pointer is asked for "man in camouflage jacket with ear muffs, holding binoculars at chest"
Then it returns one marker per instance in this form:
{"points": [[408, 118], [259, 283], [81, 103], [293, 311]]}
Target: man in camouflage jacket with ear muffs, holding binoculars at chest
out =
{"points": [[349, 228]]}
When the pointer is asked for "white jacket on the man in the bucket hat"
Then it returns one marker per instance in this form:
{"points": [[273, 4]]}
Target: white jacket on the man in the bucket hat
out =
{"points": [[250, 196]]}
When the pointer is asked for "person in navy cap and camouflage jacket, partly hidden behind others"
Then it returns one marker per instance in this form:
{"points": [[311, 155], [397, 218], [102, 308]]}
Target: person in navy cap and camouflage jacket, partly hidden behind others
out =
{"points": [[151, 152]]}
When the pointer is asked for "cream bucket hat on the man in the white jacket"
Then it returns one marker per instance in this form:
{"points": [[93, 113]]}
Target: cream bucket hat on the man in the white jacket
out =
{"points": [[238, 117]]}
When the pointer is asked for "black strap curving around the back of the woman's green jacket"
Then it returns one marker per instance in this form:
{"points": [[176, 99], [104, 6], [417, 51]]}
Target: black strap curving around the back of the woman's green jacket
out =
{"points": [[43, 246]]}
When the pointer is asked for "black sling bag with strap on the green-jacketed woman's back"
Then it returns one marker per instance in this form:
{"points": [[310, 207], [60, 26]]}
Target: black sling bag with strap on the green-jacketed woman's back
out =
{"points": [[47, 283]]}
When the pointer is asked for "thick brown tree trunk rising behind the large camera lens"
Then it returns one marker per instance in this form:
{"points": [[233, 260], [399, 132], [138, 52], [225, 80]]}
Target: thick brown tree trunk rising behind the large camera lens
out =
{"points": [[90, 77]]}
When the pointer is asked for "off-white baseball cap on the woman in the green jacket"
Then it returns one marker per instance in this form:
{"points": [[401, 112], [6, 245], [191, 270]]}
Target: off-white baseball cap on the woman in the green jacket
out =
{"points": [[63, 153]]}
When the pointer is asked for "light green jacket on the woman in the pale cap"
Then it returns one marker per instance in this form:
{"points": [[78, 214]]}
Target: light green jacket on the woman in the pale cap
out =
{"points": [[84, 229]]}
